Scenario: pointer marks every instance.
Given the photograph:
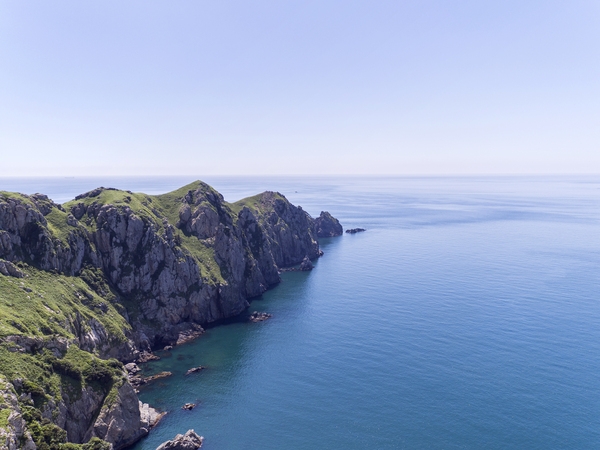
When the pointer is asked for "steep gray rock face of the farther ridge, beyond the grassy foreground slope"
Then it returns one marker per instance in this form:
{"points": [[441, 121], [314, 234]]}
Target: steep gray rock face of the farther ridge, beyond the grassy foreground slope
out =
{"points": [[145, 261]]}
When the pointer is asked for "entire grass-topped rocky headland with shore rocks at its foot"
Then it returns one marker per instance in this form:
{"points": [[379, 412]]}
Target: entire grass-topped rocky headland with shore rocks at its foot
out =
{"points": [[90, 288]]}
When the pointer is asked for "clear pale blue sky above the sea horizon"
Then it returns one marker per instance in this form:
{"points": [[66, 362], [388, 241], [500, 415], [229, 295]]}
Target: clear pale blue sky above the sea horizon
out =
{"points": [[192, 87]]}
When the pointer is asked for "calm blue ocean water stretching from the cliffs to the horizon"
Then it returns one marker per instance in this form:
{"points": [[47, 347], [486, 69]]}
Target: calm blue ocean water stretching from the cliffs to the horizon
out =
{"points": [[466, 317]]}
